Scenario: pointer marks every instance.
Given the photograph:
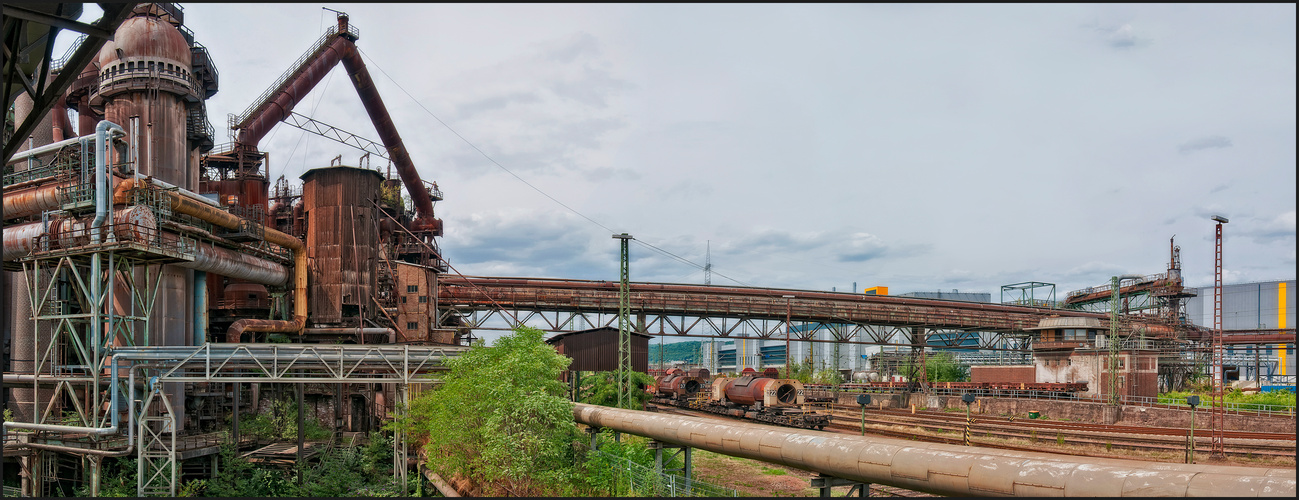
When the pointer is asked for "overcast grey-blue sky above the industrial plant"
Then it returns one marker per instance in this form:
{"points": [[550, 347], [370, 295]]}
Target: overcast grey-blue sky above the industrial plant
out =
{"points": [[919, 147]]}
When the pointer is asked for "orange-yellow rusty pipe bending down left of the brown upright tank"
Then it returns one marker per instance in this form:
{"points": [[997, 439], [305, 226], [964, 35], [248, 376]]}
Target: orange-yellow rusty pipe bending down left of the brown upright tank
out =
{"points": [[205, 212]]}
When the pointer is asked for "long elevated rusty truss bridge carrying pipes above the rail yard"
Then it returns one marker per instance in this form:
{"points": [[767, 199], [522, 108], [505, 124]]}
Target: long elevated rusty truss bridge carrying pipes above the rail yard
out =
{"points": [[488, 303]]}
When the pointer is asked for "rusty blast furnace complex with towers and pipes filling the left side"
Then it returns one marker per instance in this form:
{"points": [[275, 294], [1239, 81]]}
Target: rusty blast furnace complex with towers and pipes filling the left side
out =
{"points": [[134, 237]]}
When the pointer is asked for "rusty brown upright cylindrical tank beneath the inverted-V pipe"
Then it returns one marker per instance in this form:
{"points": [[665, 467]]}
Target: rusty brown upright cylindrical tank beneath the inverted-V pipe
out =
{"points": [[342, 241]]}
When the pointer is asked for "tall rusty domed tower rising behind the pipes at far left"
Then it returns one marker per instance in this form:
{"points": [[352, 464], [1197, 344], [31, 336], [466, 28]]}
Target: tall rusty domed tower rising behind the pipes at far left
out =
{"points": [[146, 72]]}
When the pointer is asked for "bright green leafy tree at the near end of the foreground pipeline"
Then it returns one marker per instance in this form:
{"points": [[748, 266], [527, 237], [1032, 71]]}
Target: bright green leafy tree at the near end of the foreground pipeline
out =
{"points": [[501, 419]]}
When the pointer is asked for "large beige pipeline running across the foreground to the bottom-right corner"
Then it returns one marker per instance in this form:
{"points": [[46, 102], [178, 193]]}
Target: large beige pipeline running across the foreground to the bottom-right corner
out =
{"points": [[945, 469]]}
